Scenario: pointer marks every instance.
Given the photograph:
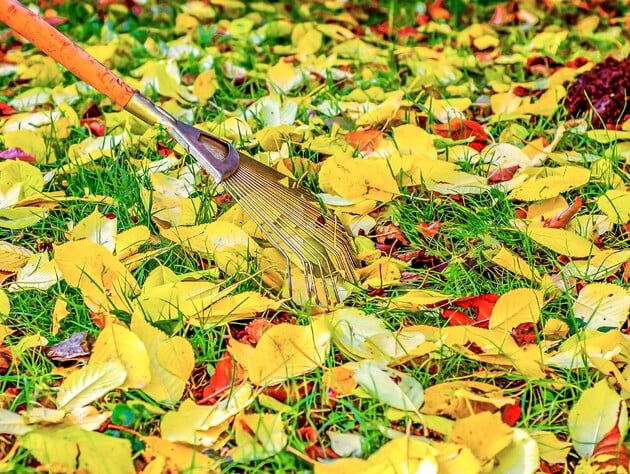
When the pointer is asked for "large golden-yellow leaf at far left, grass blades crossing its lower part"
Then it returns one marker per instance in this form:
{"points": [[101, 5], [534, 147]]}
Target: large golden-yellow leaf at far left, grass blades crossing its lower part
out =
{"points": [[105, 282]]}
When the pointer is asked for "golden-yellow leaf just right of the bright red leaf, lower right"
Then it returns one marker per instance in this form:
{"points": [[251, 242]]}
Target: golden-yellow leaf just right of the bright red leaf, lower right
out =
{"points": [[522, 305]]}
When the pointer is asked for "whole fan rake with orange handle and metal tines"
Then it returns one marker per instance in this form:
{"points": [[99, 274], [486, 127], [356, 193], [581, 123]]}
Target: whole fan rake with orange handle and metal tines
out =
{"points": [[289, 216]]}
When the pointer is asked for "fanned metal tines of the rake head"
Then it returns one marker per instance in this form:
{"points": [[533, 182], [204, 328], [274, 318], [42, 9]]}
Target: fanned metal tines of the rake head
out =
{"points": [[294, 223]]}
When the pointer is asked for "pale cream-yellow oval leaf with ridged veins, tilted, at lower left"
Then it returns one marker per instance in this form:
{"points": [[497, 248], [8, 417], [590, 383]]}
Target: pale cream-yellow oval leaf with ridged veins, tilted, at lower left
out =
{"points": [[89, 384]]}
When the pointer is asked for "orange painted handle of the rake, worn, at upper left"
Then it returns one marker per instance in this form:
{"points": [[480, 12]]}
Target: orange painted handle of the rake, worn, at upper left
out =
{"points": [[63, 50]]}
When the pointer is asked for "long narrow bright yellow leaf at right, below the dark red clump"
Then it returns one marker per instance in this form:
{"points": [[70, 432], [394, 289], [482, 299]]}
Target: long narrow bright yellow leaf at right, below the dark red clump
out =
{"points": [[561, 180]]}
